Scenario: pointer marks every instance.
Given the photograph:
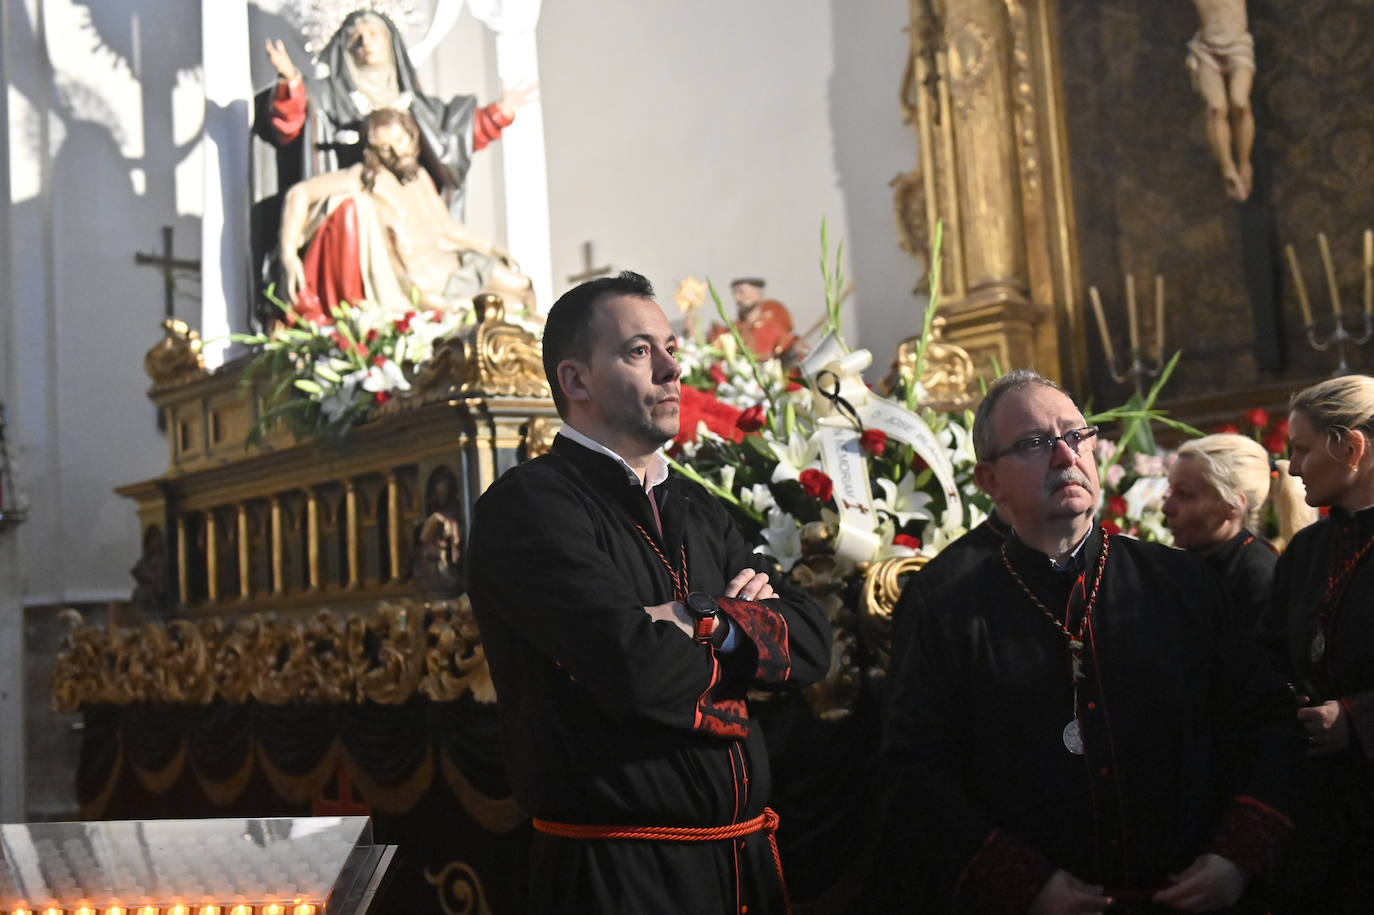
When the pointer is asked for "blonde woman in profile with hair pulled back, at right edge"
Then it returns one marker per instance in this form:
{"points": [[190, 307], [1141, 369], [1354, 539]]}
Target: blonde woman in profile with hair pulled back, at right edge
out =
{"points": [[1320, 631]]}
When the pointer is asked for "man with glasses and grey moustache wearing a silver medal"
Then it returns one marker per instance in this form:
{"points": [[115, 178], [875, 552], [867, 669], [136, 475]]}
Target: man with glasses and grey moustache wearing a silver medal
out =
{"points": [[1078, 725]]}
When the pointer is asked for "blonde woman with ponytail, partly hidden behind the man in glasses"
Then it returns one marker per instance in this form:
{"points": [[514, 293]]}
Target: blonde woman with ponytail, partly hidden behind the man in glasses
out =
{"points": [[1218, 491]]}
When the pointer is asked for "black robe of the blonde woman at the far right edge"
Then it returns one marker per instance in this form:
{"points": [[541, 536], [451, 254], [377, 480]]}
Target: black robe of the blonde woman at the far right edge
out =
{"points": [[1335, 844]]}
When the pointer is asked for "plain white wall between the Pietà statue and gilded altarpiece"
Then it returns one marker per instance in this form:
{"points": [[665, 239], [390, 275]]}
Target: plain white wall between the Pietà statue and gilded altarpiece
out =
{"points": [[710, 139]]}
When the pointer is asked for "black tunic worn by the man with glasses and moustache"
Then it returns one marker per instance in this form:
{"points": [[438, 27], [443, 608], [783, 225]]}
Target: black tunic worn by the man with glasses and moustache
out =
{"points": [[1188, 737]]}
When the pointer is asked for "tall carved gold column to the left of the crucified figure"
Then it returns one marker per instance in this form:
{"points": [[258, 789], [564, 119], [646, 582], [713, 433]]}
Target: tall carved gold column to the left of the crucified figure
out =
{"points": [[983, 90]]}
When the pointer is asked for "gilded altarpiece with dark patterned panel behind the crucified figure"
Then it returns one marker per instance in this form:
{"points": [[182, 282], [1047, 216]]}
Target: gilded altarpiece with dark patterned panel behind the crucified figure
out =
{"points": [[1064, 146]]}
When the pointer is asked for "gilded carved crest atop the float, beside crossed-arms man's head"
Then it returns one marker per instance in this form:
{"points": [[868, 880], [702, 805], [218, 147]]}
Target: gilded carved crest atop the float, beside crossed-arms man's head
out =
{"points": [[495, 359]]}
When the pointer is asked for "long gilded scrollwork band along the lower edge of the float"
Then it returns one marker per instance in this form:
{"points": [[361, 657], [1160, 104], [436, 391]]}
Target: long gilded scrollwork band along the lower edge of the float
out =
{"points": [[390, 656]]}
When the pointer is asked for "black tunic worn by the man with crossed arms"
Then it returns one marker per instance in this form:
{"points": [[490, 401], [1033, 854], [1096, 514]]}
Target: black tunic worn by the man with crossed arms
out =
{"points": [[613, 719]]}
